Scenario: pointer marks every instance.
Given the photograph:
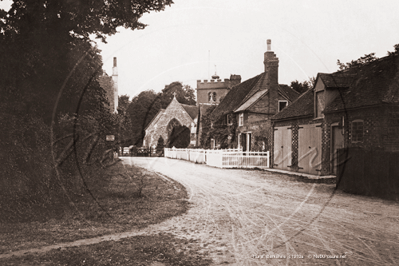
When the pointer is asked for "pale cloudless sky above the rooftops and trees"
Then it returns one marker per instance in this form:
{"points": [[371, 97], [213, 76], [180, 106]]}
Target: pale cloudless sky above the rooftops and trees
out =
{"points": [[193, 39]]}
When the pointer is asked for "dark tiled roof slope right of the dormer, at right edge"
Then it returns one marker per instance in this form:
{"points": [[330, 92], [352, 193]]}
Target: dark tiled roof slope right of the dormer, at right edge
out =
{"points": [[375, 83]]}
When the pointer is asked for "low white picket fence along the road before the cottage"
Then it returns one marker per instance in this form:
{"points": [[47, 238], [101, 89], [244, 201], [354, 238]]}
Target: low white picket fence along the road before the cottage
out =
{"points": [[229, 158]]}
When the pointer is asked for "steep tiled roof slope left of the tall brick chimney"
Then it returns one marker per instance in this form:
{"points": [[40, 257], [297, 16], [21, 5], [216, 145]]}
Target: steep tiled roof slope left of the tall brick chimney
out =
{"points": [[234, 97]]}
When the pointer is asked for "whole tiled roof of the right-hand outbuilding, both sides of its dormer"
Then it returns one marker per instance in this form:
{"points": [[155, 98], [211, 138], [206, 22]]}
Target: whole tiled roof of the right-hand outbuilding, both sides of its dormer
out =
{"points": [[368, 85]]}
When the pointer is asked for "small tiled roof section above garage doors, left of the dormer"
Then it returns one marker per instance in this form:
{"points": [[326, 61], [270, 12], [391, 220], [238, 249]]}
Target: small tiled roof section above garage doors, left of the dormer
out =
{"points": [[302, 106]]}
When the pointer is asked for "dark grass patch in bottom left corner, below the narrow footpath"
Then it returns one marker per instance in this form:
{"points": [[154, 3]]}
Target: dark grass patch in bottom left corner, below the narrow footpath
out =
{"points": [[139, 251]]}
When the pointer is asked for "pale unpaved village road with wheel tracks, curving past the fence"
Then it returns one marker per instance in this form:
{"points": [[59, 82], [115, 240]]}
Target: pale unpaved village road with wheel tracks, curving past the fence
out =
{"points": [[242, 217]]}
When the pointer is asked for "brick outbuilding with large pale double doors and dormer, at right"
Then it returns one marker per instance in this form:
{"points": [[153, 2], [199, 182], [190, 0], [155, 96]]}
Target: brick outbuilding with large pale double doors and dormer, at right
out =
{"points": [[357, 107]]}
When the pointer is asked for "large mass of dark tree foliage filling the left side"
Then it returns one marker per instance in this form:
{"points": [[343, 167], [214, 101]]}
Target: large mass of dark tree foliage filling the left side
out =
{"points": [[53, 105]]}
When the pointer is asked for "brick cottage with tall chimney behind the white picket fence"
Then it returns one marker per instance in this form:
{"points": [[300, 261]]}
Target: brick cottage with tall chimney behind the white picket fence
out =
{"points": [[250, 105]]}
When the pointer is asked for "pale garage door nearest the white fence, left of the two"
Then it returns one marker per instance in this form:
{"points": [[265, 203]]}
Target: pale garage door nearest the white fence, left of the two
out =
{"points": [[282, 148]]}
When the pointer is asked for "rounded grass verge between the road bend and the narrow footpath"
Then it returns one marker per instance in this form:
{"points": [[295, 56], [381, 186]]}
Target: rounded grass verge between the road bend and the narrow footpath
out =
{"points": [[121, 208]]}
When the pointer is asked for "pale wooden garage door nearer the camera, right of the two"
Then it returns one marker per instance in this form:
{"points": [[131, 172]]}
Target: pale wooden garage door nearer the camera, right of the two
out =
{"points": [[309, 148]]}
